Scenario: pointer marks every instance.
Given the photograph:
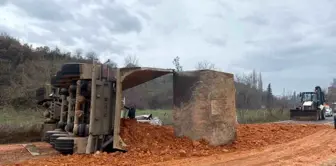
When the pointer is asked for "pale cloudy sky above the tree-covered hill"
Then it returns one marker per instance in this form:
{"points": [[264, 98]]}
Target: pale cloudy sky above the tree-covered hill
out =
{"points": [[290, 42]]}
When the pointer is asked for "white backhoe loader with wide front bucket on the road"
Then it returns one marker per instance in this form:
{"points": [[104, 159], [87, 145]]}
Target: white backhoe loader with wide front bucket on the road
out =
{"points": [[311, 106]]}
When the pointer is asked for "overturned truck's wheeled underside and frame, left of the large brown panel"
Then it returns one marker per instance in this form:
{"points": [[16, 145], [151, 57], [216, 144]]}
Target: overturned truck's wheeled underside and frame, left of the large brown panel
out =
{"points": [[84, 108]]}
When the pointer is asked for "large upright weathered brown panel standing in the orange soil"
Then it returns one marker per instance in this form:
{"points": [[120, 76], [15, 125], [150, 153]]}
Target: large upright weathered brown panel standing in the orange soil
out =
{"points": [[204, 106]]}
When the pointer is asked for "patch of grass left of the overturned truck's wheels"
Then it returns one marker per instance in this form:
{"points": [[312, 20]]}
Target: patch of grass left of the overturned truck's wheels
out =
{"points": [[19, 125]]}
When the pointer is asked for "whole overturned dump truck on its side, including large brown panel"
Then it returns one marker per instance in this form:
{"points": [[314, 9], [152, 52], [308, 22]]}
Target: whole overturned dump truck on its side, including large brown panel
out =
{"points": [[84, 108]]}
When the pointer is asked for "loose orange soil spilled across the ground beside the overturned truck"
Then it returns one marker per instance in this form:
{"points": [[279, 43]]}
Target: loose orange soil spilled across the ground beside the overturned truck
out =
{"points": [[149, 144]]}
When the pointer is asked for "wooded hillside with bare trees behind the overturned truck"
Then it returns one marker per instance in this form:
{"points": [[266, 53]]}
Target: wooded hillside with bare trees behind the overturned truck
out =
{"points": [[24, 69]]}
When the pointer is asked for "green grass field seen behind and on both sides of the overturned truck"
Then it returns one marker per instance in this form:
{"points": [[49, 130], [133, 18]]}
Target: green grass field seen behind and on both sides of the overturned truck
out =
{"points": [[25, 125]]}
